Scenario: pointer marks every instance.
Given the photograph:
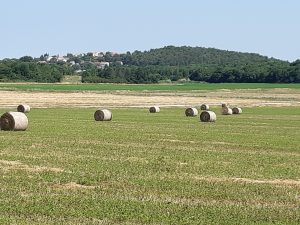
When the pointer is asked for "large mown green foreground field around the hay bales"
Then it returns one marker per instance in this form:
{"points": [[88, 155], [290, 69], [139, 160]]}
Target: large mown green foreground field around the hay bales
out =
{"points": [[144, 168]]}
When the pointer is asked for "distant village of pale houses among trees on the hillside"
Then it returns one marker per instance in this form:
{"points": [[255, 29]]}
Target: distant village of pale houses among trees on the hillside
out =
{"points": [[81, 61]]}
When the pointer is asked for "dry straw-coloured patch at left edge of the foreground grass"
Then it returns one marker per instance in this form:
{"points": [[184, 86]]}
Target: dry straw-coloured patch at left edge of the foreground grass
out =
{"points": [[16, 165]]}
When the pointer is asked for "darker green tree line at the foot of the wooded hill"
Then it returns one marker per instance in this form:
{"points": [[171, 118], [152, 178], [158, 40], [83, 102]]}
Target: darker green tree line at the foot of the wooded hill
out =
{"points": [[264, 72]]}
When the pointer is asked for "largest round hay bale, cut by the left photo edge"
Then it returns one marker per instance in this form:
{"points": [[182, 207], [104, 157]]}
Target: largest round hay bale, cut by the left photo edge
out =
{"points": [[16, 121]]}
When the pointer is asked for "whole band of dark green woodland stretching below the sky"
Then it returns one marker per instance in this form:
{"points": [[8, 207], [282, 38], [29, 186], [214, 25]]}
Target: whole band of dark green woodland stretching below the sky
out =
{"points": [[164, 64]]}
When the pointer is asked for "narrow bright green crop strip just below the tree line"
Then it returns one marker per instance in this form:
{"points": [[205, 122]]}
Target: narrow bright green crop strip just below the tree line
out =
{"points": [[141, 87]]}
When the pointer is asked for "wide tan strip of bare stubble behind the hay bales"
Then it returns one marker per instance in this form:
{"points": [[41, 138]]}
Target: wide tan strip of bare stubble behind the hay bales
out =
{"points": [[249, 98]]}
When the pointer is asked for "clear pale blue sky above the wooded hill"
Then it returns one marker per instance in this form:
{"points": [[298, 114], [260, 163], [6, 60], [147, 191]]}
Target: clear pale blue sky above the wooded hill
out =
{"points": [[34, 27]]}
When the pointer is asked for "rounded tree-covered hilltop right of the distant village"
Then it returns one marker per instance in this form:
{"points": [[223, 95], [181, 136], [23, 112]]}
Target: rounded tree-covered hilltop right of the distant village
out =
{"points": [[174, 56]]}
